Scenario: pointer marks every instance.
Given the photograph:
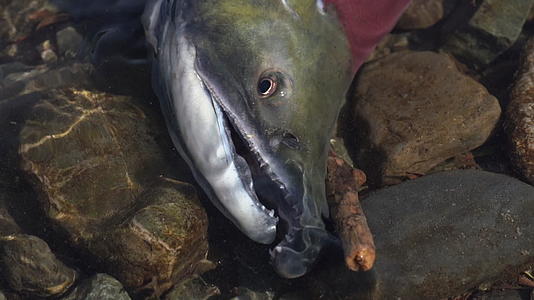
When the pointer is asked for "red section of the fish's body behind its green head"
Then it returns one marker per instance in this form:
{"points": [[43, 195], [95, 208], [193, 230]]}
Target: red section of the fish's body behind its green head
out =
{"points": [[366, 22]]}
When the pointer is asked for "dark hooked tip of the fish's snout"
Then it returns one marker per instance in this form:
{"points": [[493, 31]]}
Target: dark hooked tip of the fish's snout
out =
{"points": [[296, 254]]}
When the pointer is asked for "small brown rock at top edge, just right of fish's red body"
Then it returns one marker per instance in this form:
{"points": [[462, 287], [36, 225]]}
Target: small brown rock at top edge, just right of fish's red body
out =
{"points": [[421, 14]]}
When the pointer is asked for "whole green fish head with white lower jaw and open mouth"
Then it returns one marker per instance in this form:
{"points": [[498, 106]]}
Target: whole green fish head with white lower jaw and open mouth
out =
{"points": [[251, 91]]}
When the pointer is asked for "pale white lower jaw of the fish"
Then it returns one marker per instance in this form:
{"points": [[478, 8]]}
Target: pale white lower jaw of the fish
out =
{"points": [[200, 133]]}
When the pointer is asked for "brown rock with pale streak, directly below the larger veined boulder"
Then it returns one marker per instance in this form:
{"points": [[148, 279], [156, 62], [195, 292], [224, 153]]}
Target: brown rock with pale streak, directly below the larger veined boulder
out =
{"points": [[163, 243]]}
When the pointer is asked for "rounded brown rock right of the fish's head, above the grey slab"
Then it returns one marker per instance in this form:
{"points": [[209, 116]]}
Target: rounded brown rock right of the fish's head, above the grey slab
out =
{"points": [[414, 110]]}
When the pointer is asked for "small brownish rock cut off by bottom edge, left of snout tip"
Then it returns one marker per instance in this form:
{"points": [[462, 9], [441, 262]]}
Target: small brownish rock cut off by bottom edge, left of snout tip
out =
{"points": [[194, 288]]}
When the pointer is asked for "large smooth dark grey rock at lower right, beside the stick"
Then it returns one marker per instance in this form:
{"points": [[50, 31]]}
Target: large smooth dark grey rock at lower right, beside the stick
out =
{"points": [[443, 234]]}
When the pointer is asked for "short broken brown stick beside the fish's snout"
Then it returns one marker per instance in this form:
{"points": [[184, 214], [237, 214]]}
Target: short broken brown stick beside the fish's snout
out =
{"points": [[342, 191]]}
